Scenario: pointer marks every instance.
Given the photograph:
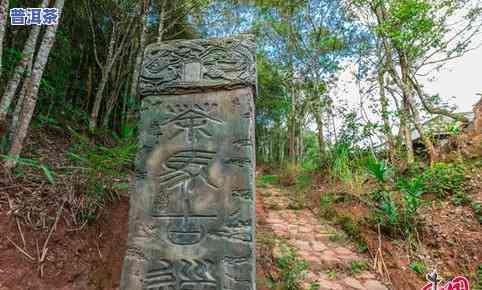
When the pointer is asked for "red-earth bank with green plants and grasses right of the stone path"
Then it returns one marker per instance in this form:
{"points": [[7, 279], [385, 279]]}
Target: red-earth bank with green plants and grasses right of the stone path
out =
{"points": [[411, 220]]}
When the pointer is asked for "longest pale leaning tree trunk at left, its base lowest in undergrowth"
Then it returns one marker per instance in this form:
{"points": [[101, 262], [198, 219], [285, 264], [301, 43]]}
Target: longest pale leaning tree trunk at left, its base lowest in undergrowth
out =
{"points": [[31, 94]]}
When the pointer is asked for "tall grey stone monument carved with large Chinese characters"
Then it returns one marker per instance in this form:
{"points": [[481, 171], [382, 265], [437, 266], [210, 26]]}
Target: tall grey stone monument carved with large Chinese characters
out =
{"points": [[192, 215]]}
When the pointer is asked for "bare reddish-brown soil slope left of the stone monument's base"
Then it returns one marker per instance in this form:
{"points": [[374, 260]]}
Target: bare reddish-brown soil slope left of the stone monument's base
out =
{"points": [[87, 259]]}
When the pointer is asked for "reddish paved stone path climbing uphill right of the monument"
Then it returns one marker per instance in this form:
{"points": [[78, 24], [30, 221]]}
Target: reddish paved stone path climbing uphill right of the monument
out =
{"points": [[334, 265]]}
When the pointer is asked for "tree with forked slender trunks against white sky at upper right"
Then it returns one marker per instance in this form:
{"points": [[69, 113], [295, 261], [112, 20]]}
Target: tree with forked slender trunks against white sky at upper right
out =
{"points": [[413, 35]]}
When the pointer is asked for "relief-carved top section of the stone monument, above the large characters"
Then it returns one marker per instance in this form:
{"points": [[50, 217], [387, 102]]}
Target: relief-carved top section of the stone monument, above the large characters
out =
{"points": [[179, 67]]}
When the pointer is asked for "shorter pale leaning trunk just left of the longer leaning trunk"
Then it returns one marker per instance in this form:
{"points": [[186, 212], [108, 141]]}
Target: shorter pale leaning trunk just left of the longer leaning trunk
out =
{"points": [[25, 62]]}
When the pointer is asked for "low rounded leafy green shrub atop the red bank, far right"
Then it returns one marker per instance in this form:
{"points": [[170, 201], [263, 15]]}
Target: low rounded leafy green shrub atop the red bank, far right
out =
{"points": [[444, 179]]}
